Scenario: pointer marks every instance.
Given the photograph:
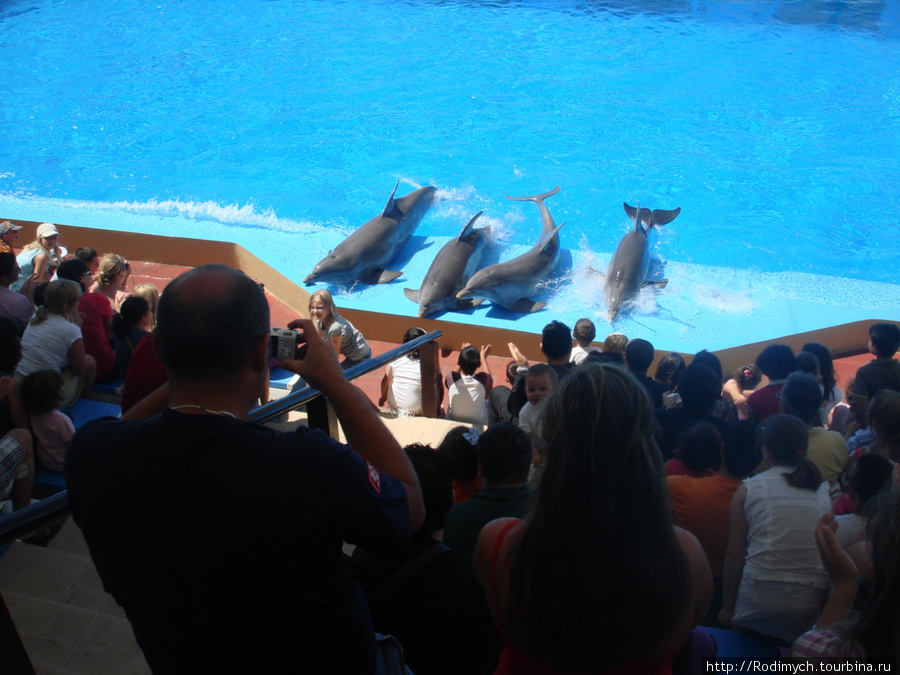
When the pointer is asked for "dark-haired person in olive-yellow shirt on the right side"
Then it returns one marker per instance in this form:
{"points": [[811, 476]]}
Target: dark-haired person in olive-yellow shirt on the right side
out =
{"points": [[801, 397]]}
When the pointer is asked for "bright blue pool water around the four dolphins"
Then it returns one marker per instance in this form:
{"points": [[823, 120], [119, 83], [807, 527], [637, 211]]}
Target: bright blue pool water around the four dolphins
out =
{"points": [[284, 124]]}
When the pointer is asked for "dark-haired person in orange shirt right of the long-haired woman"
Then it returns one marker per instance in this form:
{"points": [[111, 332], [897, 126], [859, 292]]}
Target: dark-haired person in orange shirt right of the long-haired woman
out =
{"points": [[702, 506]]}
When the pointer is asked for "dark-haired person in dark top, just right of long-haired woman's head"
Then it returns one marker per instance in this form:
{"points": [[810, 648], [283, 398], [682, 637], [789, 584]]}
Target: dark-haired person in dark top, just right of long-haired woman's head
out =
{"points": [[699, 388]]}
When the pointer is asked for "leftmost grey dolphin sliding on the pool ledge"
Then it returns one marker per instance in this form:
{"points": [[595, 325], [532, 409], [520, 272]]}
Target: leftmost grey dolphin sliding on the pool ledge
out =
{"points": [[365, 254]]}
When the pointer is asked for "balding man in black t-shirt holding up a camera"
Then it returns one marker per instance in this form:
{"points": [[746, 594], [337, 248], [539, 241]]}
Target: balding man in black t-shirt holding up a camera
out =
{"points": [[222, 538]]}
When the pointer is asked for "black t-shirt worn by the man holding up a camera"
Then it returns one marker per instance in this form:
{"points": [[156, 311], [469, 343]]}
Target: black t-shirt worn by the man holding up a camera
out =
{"points": [[222, 540]]}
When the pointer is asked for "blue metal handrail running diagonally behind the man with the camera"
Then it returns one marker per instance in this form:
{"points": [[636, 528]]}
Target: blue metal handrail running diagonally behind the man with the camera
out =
{"points": [[37, 515]]}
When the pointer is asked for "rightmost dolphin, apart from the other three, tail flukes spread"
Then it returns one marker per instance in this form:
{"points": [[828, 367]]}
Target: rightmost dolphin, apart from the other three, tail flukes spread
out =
{"points": [[627, 271]]}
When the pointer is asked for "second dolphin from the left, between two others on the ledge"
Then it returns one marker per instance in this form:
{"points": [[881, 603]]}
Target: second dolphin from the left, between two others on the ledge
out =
{"points": [[450, 270]]}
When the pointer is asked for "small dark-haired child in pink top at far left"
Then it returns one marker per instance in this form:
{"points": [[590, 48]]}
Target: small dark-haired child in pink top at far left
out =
{"points": [[42, 394]]}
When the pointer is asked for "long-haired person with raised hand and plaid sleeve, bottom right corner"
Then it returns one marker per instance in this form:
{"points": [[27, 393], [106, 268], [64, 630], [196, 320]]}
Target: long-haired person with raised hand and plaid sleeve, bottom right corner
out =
{"points": [[872, 635]]}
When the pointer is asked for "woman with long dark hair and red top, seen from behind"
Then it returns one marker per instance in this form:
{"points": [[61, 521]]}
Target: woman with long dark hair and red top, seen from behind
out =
{"points": [[597, 578]]}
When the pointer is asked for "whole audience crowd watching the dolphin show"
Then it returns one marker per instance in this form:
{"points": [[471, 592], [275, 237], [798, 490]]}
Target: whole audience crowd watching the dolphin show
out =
{"points": [[583, 516]]}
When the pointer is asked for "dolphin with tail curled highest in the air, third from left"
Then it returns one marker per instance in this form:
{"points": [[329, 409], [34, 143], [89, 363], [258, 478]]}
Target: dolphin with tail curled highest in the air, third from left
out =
{"points": [[509, 283]]}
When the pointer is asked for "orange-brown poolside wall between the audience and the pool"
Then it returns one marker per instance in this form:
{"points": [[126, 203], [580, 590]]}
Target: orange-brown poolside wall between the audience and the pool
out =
{"points": [[843, 340]]}
